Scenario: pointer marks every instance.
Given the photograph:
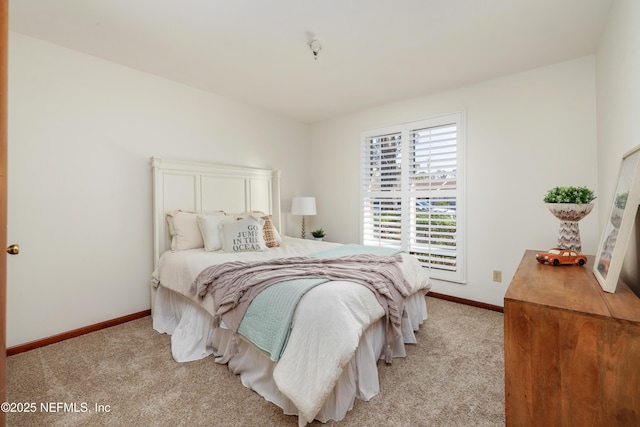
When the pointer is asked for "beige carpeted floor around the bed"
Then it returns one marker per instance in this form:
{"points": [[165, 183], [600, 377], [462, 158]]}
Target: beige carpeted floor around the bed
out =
{"points": [[125, 375]]}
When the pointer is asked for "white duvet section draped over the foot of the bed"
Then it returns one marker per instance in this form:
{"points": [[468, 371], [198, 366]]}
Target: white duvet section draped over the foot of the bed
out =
{"points": [[314, 357]]}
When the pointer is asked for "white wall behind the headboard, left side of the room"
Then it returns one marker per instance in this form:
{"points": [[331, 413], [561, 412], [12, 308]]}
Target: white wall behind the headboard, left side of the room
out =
{"points": [[81, 131]]}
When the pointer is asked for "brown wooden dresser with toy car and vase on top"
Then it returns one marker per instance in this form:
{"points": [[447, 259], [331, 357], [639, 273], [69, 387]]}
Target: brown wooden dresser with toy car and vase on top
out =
{"points": [[571, 350]]}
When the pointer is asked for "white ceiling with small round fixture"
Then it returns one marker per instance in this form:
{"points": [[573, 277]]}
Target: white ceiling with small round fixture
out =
{"points": [[373, 51]]}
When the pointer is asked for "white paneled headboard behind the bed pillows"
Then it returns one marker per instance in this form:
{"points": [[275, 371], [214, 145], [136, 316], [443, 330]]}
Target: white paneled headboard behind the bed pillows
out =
{"points": [[209, 187]]}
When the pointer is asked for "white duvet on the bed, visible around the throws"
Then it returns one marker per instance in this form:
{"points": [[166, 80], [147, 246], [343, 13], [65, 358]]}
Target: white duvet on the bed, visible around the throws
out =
{"points": [[327, 325]]}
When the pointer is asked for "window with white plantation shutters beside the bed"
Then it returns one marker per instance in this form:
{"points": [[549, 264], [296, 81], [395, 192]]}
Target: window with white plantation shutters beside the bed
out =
{"points": [[412, 192]]}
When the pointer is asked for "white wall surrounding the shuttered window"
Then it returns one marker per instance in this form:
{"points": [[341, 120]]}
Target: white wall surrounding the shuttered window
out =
{"points": [[526, 133]]}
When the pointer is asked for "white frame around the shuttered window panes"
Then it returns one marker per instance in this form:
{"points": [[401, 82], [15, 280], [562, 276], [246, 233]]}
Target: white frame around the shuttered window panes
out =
{"points": [[406, 194]]}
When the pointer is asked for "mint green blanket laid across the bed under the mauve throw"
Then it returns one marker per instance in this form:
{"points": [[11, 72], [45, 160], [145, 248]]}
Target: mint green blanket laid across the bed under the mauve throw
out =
{"points": [[267, 322]]}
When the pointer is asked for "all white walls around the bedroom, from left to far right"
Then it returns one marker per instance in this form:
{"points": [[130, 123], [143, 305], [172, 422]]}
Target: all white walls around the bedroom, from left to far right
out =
{"points": [[81, 131]]}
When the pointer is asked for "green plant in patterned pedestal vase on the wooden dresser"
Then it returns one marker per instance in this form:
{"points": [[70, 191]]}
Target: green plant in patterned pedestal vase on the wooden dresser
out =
{"points": [[569, 205]]}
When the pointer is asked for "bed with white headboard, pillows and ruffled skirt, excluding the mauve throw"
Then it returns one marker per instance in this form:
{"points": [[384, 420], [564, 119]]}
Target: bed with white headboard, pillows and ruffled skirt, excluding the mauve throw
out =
{"points": [[314, 372]]}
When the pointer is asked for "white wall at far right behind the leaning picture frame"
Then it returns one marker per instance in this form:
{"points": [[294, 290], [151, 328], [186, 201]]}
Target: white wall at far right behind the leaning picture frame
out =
{"points": [[618, 96]]}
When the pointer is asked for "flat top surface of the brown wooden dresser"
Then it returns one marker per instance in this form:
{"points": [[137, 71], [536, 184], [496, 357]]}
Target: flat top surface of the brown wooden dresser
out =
{"points": [[570, 287]]}
